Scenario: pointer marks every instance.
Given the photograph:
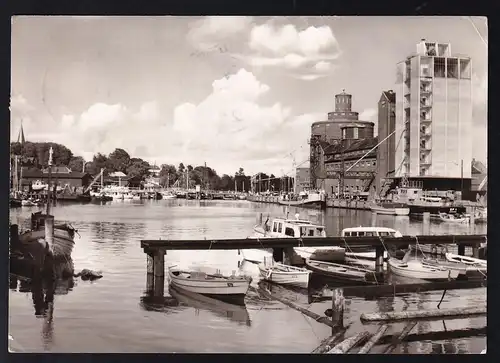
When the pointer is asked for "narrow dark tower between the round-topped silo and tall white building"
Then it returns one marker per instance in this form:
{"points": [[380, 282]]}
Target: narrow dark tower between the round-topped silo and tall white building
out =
{"points": [[386, 150]]}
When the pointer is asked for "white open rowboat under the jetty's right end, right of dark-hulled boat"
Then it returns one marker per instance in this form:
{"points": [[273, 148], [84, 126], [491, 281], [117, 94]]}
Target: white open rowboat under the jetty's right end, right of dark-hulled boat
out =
{"points": [[420, 270]]}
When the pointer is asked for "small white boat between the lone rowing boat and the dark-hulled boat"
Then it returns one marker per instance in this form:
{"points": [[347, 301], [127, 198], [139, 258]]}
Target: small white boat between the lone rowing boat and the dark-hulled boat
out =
{"points": [[284, 274]]}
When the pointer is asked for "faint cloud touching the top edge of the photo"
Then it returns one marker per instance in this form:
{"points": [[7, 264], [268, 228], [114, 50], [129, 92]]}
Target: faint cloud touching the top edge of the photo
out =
{"points": [[206, 34]]}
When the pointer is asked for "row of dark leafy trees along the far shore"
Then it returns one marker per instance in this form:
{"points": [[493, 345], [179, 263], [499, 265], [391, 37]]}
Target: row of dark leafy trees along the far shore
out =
{"points": [[36, 155]]}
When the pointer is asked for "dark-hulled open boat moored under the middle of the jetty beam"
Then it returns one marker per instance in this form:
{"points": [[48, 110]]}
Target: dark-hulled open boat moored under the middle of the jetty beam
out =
{"points": [[343, 274]]}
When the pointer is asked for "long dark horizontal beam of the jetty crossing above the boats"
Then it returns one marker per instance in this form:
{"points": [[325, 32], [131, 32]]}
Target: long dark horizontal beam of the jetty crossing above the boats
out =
{"points": [[352, 242]]}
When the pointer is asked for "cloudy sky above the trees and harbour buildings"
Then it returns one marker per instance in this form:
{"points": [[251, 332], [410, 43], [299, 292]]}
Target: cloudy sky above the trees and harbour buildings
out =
{"points": [[229, 91]]}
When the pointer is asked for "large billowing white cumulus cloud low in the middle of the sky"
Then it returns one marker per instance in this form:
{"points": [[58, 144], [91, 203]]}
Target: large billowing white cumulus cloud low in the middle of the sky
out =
{"points": [[231, 128]]}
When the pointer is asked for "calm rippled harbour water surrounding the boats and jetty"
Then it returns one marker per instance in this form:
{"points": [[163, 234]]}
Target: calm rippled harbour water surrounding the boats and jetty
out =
{"points": [[113, 314]]}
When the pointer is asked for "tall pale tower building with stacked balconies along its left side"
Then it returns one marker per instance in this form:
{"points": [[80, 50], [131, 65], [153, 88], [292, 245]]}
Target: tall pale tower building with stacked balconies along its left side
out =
{"points": [[433, 114]]}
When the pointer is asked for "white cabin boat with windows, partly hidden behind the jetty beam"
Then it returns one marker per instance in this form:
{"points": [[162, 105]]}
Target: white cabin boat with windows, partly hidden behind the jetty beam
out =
{"points": [[292, 228]]}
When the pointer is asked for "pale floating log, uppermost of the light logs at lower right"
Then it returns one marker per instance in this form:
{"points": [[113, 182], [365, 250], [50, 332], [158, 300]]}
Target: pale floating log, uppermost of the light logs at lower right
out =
{"points": [[424, 314]]}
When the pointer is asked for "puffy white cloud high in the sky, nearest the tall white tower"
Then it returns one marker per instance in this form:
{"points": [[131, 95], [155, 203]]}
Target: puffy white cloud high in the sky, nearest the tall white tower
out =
{"points": [[308, 51]]}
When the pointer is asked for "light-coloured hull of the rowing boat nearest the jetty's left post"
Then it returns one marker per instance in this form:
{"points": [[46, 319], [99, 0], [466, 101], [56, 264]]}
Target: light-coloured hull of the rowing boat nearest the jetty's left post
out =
{"points": [[215, 287]]}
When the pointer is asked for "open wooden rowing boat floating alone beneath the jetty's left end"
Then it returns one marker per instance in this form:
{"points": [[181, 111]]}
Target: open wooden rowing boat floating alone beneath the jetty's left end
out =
{"points": [[210, 284]]}
